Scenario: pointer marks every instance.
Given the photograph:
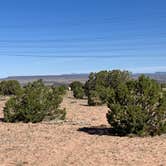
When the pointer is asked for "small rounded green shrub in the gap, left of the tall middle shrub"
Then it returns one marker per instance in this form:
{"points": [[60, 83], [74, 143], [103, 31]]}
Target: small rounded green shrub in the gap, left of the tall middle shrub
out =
{"points": [[78, 89]]}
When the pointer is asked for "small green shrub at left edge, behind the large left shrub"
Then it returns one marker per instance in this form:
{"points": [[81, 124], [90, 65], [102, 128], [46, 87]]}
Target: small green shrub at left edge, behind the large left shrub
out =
{"points": [[11, 87]]}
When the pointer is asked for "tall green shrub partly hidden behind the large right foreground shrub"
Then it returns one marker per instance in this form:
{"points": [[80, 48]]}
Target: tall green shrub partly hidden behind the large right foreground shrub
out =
{"points": [[102, 83]]}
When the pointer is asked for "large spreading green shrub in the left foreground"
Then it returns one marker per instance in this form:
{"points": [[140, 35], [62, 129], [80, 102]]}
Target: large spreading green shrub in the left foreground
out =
{"points": [[37, 103]]}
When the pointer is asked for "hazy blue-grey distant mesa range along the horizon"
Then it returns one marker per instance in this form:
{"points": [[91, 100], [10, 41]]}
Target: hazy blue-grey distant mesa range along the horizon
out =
{"points": [[68, 78]]}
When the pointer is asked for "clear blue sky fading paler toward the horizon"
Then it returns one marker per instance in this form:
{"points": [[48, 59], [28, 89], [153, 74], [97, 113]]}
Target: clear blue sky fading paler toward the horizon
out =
{"points": [[39, 37]]}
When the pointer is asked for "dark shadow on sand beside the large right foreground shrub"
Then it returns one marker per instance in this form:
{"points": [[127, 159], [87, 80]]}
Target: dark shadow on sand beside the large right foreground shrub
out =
{"points": [[99, 130]]}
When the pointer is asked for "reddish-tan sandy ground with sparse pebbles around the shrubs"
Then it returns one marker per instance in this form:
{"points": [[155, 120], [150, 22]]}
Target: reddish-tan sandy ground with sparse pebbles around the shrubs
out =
{"points": [[82, 140]]}
